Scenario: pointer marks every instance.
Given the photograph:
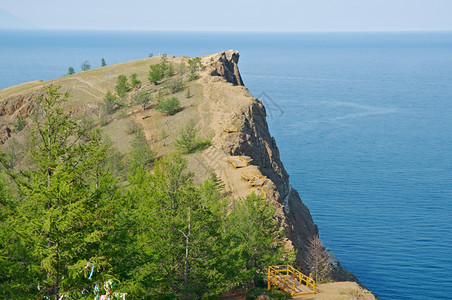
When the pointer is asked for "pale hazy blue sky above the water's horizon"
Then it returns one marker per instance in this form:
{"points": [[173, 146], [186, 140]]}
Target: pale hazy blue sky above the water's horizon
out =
{"points": [[286, 15]]}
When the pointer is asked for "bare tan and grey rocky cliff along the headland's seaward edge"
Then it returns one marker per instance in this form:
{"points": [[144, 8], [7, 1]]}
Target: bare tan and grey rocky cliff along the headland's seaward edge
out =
{"points": [[254, 142]]}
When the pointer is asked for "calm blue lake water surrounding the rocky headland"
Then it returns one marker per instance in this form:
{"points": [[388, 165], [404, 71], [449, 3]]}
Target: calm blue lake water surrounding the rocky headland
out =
{"points": [[363, 122]]}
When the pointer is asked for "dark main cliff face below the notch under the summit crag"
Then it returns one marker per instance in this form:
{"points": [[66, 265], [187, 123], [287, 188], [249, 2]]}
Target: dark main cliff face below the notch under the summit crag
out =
{"points": [[254, 141]]}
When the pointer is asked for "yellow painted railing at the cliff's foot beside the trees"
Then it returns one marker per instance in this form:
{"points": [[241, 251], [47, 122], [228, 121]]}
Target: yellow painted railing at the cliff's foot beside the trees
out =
{"points": [[279, 276]]}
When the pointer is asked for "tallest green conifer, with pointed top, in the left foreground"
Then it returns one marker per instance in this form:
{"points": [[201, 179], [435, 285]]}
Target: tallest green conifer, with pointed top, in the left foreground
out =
{"points": [[64, 200]]}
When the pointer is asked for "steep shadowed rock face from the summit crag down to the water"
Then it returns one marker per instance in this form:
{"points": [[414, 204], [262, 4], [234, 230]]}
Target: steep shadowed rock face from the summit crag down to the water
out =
{"points": [[254, 141]]}
